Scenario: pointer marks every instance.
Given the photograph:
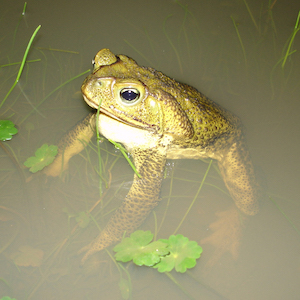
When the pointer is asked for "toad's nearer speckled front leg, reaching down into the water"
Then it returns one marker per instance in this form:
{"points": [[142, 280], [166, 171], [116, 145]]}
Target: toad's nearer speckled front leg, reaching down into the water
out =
{"points": [[142, 197]]}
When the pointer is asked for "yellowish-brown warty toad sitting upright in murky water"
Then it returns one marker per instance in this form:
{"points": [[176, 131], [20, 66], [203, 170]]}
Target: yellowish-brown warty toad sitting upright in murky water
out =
{"points": [[156, 118]]}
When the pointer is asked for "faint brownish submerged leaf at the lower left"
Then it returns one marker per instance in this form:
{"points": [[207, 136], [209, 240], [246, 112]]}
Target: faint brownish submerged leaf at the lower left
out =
{"points": [[27, 256]]}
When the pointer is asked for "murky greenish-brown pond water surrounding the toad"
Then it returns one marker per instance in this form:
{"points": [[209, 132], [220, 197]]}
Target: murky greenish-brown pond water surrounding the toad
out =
{"points": [[195, 42]]}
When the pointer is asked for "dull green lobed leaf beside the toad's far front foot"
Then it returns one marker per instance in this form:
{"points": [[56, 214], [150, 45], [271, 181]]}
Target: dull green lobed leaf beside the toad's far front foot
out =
{"points": [[44, 156]]}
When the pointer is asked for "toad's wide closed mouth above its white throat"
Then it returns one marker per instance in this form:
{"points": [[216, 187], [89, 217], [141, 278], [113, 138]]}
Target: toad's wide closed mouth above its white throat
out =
{"points": [[114, 113]]}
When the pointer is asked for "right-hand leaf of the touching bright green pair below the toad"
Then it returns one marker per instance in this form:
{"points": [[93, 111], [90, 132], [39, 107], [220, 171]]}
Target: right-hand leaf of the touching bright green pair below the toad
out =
{"points": [[183, 254]]}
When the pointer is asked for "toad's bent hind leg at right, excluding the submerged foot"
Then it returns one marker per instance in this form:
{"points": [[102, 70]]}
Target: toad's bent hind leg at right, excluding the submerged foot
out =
{"points": [[238, 174]]}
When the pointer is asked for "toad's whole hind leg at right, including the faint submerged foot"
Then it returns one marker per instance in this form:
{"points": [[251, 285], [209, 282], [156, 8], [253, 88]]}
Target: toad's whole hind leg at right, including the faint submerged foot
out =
{"points": [[238, 174]]}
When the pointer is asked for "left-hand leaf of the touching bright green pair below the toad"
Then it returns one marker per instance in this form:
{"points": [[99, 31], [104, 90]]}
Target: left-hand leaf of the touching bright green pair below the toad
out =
{"points": [[137, 248]]}
